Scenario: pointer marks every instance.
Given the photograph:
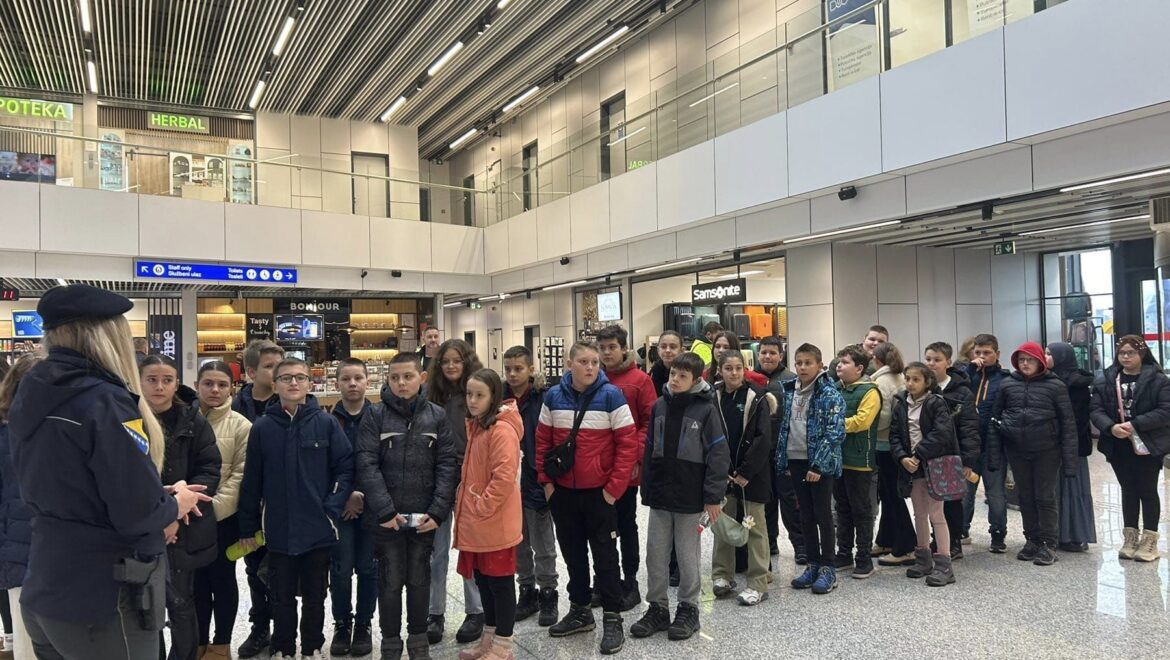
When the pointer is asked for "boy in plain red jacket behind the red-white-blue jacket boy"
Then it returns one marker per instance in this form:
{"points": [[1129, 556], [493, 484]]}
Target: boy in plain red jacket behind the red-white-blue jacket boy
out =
{"points": [[622, 369]]}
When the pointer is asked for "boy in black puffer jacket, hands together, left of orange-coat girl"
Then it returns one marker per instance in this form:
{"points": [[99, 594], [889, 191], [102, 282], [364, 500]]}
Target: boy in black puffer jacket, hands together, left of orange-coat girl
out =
{"points": [[407, 466]]}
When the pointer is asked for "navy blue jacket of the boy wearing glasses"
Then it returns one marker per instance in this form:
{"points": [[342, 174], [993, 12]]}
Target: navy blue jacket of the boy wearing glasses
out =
{"points": [[298, 476]]}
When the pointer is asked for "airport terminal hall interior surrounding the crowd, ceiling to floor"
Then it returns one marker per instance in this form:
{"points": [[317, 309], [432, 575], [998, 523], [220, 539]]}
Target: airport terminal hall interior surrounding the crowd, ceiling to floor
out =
{"points": [[339, 177]]}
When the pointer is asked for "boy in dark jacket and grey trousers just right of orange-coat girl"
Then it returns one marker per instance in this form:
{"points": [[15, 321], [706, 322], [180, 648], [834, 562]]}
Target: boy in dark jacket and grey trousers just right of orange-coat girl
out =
{"points": [[536, 558]]}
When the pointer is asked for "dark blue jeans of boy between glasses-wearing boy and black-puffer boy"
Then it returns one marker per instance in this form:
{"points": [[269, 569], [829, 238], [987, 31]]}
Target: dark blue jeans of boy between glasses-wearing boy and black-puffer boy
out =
{"points": [[353, 554]]}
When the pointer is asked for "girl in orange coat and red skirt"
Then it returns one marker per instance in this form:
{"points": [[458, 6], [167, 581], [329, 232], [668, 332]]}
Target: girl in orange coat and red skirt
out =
{"points": [[488, 517]]}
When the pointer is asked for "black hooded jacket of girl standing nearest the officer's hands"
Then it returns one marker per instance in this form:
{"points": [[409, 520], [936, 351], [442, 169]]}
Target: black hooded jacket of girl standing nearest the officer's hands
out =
{"points": [[192, 456]]}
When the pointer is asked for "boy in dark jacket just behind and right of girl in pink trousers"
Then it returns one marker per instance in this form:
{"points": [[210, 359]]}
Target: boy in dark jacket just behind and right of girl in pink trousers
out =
{"points": [[956, 389]]}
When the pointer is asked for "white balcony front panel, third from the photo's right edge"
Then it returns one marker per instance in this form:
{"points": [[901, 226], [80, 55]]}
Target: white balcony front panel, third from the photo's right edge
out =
{"points": [[836, 139]]}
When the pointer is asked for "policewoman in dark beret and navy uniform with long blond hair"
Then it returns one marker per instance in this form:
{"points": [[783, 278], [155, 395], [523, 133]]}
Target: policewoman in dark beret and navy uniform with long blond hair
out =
{"points": [[88, 452]]}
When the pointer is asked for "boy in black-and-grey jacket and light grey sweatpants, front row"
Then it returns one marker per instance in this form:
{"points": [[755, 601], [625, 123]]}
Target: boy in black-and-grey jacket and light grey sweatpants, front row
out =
{"points": [[686, 462]]}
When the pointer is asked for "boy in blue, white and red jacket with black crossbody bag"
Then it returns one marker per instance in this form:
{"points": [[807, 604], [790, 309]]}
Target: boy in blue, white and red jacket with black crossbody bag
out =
{"points": [[583, 498]]}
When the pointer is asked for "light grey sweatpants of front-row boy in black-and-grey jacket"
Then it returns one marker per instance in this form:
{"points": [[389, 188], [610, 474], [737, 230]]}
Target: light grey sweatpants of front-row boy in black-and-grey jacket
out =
{"points": [[680, 531]]}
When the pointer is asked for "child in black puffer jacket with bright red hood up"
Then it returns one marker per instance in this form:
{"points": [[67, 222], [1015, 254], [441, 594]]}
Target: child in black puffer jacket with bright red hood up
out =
{"points": [[1034, 420]]}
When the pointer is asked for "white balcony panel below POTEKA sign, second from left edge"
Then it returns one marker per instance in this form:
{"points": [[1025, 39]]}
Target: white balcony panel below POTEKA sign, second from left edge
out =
{"points": [[88, 222]]}
